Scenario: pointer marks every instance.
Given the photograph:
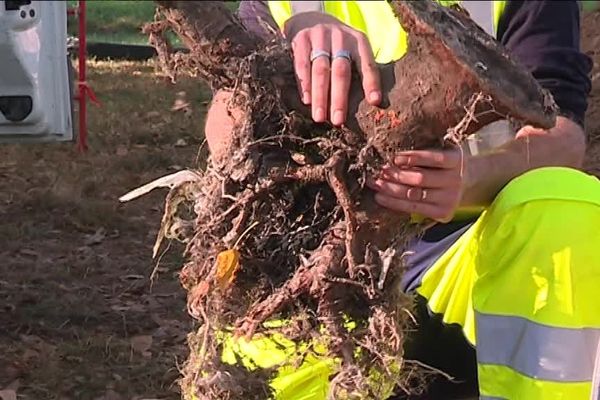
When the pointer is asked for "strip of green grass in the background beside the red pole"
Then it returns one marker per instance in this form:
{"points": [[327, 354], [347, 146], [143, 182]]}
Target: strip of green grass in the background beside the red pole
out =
{"points": [[118, 21]]}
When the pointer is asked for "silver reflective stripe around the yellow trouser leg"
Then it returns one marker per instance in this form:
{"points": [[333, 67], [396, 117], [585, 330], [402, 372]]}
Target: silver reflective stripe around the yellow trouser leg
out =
{"points": [[535, 350]]}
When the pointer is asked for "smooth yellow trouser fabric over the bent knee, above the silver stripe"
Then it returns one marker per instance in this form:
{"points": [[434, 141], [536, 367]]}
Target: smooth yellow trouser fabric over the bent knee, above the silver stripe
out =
{"points": [[557, 286]]}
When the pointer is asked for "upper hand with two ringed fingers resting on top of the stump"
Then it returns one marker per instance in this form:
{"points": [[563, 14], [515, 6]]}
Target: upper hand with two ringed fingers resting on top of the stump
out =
{"points": [[324, 49]]}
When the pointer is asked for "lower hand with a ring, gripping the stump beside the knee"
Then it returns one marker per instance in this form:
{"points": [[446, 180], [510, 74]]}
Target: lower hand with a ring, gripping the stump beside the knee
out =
{"points": [[425, 182]]}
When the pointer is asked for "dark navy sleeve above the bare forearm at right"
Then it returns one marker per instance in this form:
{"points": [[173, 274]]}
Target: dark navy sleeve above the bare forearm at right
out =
{"points": [[544, 36]]}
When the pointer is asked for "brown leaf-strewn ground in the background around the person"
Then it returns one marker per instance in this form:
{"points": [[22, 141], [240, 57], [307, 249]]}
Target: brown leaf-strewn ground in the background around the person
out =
{"points": [[80, 317]]}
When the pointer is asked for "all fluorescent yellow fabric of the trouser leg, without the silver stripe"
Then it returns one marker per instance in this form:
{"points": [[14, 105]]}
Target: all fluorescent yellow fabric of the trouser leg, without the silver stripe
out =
{"points": [[533, 254]]}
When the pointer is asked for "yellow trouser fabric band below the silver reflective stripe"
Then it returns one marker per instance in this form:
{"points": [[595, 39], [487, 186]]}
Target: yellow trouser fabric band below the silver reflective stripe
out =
{"points": [[501, 382]]}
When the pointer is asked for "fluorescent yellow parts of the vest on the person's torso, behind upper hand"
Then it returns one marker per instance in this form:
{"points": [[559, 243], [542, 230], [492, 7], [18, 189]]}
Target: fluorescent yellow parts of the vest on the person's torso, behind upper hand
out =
{"points": [[375, 19]]}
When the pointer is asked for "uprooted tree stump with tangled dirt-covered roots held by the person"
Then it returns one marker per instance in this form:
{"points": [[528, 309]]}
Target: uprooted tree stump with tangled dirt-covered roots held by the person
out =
{"points": [[284, 229]]}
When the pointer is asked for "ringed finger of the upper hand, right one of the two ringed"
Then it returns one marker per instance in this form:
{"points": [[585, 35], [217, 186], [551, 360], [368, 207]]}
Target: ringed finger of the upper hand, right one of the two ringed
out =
{"points": [[341, 75]]}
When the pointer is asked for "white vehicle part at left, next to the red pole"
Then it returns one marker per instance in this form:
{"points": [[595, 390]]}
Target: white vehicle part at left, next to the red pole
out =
{"points": [[35, 78]]}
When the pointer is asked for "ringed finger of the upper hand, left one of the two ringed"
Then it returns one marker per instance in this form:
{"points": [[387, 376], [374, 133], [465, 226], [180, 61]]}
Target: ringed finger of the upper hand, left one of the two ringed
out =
{"points": [[320, 73]]}
